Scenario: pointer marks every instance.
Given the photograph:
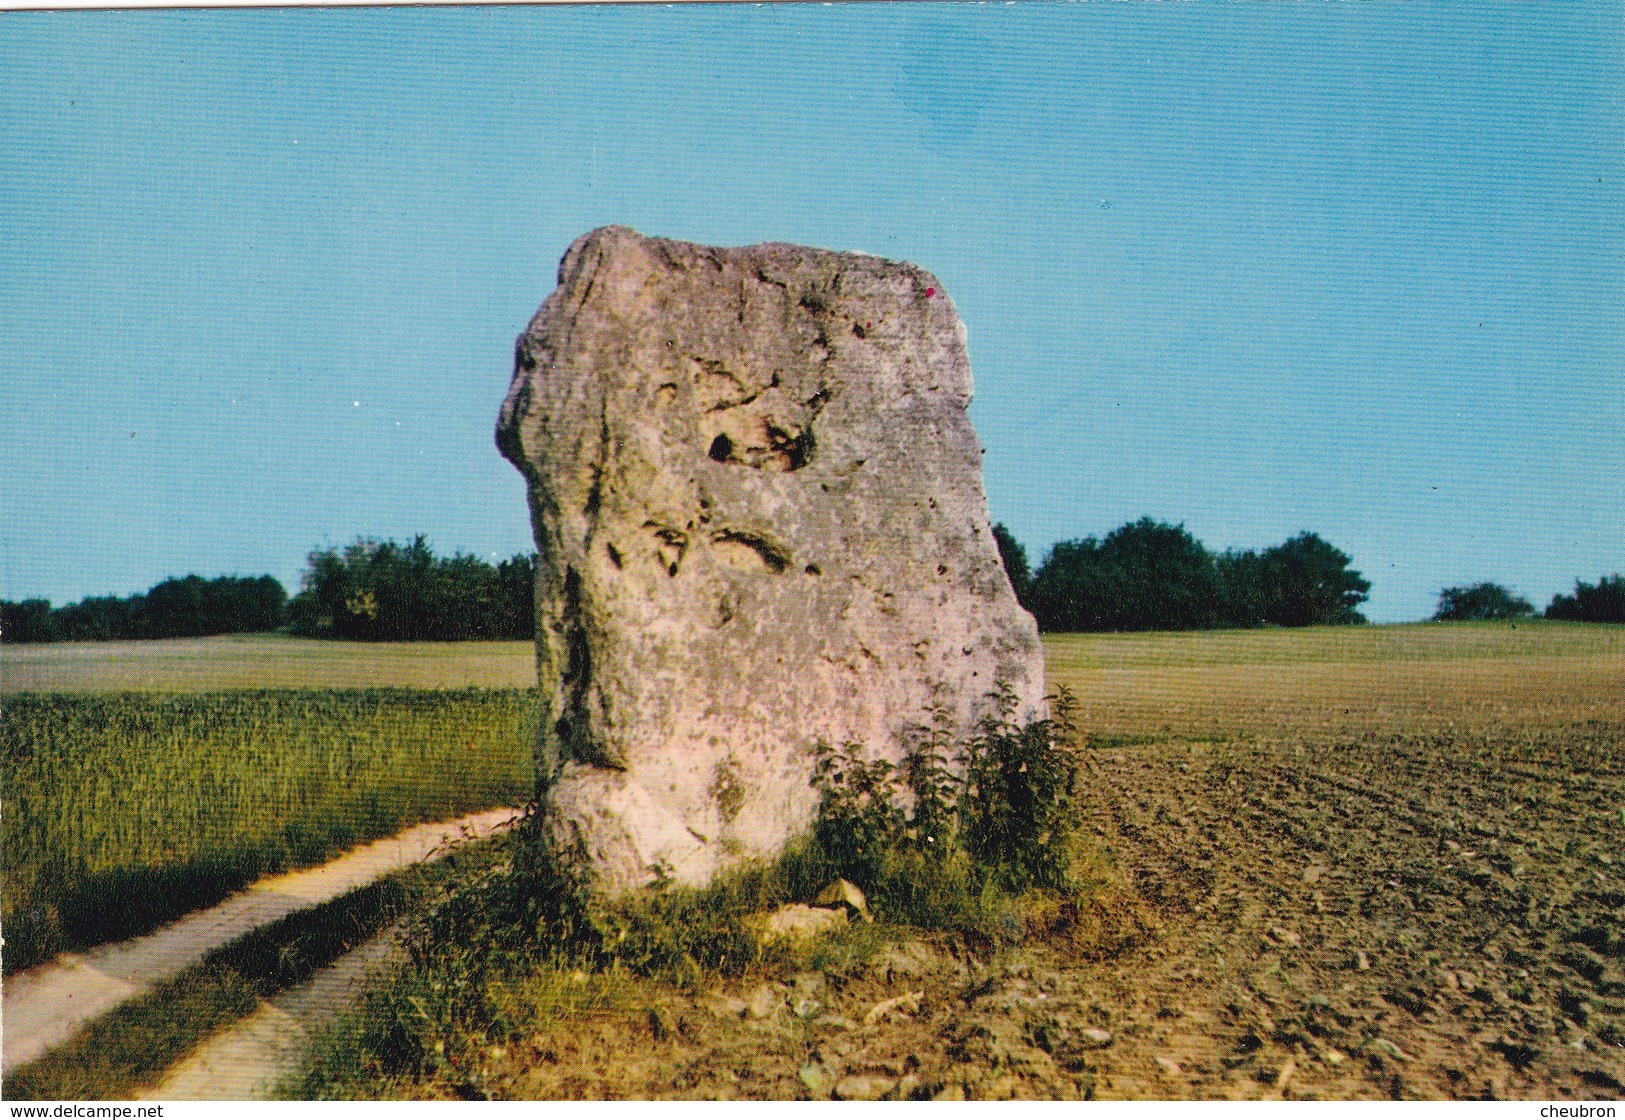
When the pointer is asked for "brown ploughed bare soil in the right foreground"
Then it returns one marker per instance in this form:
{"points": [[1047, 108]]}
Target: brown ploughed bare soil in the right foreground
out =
{"points": [[1301, 927]]}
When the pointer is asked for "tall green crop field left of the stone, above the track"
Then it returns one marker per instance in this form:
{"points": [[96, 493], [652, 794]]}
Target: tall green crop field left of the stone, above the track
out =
{"points": [[128, 810]]}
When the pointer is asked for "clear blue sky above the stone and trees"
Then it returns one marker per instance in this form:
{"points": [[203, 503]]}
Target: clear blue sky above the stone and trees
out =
{"points": [[1257, 269]]}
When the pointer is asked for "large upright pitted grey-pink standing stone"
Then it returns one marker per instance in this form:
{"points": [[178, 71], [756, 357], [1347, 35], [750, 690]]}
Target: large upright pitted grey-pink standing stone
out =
{"points": [[760, 516]]}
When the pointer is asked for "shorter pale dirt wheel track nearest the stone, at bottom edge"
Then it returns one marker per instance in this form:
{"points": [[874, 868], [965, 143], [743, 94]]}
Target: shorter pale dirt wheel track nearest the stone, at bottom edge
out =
{"points": [[246, 1061]]}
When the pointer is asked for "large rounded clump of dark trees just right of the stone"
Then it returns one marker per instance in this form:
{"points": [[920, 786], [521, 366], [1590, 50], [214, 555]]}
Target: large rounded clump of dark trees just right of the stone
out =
{"points": [[1153, 576]]}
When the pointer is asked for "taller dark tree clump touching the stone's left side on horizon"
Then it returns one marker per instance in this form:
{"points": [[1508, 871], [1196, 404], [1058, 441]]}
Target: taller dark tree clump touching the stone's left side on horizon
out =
{"points": [[388, 593]]}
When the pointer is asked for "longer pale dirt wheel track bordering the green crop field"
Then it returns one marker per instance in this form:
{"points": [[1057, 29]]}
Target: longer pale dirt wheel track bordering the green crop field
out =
{"points": [[50, 1004]]}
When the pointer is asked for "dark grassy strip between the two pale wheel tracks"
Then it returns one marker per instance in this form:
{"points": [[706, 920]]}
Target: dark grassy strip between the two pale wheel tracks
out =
{"points": [[131, 1048]]}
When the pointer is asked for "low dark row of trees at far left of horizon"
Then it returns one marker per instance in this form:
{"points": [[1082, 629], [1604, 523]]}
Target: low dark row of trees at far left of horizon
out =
{"points": [[189, 607]]}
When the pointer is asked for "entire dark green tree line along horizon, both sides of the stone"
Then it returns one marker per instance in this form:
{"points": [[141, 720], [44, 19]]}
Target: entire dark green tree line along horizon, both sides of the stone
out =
{"points": [[1142, 576]]}
